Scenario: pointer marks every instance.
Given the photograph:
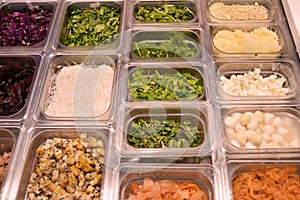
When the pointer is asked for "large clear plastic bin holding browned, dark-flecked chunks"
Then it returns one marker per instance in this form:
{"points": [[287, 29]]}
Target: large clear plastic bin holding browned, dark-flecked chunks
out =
{"points": [[40, 135]]}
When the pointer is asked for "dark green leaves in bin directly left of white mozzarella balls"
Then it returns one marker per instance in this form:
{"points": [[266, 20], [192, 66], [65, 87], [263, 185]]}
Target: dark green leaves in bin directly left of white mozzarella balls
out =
{"points": [[151, 133]]}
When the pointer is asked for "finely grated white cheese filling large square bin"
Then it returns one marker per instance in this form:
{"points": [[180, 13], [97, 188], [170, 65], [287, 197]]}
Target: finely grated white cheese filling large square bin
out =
{"points": [[80, 91]]}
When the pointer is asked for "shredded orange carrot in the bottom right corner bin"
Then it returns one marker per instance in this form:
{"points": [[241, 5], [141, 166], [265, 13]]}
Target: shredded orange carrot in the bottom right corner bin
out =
{"points": [[269, 184]]}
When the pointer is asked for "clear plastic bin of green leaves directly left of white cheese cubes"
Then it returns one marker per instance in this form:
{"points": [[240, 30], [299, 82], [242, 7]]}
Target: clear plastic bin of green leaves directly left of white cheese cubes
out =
{"points": [[197, 71]]}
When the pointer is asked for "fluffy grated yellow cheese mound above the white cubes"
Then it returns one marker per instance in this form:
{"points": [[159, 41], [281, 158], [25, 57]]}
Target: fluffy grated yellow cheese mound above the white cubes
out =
{"points": [[260, 40]]}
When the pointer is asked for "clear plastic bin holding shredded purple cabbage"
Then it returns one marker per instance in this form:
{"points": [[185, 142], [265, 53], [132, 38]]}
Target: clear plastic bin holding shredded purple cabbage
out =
{"points": [[25, 6]]}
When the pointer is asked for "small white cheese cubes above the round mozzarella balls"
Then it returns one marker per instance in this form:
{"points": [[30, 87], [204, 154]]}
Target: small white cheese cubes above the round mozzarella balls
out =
{"points": [[254, 84]]}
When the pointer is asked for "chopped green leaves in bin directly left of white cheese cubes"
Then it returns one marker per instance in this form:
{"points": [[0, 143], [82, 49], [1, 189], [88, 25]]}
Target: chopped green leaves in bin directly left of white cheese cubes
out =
{"points": [[175, 86]]}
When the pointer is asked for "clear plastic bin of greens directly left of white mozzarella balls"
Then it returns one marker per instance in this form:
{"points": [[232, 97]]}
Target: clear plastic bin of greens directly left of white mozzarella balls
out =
{"points": [[199, 116]]}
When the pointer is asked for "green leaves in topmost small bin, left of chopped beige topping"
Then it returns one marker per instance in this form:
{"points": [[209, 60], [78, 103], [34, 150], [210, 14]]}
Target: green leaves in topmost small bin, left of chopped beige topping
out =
{"points": [[163, 13]]}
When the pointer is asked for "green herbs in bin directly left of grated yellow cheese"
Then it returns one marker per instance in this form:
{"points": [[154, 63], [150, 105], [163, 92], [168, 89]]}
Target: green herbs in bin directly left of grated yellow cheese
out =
{"points": [[176, 46]]}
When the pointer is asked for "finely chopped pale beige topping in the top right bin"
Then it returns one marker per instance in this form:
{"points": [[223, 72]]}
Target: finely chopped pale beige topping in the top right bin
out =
{"points": [[239, 12]]}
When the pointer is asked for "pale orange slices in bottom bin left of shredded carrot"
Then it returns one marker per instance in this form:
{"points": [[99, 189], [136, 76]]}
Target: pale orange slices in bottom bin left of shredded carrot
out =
{"points": [[165, 190]]}
